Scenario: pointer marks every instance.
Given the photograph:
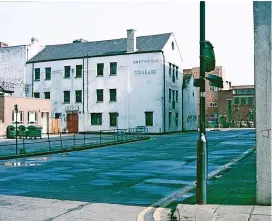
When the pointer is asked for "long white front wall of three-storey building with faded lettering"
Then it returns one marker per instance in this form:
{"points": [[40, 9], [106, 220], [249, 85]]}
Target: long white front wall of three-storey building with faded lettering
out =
{"points": [[136, 93]]}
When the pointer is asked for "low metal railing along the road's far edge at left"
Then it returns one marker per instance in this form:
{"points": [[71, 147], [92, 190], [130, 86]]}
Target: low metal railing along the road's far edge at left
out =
{"points": [[66, 141]]}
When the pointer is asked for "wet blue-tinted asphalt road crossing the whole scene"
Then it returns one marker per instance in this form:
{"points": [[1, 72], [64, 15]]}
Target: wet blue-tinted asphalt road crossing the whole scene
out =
{"points": [[130, 174]]}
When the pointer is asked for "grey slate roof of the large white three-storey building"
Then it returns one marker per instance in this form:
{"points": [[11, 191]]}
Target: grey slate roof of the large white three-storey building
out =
{"points": [[100, 48]]}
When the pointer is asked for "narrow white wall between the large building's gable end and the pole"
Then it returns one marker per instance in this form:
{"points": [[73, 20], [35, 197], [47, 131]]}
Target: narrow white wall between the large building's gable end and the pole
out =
{"points": [[190, 117]]}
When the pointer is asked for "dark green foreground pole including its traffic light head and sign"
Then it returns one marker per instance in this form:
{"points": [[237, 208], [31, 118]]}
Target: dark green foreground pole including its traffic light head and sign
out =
{"points": [[207, 64]]}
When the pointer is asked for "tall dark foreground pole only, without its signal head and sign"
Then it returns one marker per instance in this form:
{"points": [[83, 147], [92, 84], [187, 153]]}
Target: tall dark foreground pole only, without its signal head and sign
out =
{"points": [[202, 146]]}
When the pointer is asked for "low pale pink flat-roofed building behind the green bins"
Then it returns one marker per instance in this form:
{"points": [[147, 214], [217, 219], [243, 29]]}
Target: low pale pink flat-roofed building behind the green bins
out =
{"points": [[31, 111]]}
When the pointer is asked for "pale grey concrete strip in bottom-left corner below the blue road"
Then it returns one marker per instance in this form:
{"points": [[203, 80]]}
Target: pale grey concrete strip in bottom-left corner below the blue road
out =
{"points": [[36, 209]]}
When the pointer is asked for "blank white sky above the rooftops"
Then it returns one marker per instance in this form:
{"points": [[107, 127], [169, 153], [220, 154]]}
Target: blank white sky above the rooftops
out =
{"points": [[229, 27]]}
